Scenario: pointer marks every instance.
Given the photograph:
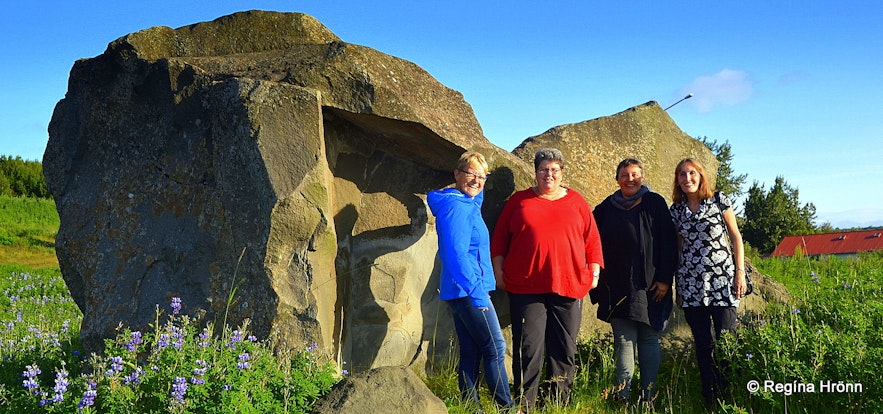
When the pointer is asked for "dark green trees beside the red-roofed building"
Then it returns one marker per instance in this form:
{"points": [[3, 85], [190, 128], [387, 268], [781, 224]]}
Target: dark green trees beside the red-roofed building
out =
{"points": [[768, 215]]}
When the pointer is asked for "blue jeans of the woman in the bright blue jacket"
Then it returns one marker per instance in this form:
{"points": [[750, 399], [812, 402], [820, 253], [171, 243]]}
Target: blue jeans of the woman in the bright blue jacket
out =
{"points": [[481, 341]]}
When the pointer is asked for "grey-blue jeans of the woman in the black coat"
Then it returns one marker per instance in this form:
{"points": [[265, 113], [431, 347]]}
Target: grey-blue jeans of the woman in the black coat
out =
{"points": [[630, 336]]}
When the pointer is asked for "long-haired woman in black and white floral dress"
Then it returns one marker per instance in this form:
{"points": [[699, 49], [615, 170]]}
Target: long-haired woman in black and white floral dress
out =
{"points": [[710, 278]]}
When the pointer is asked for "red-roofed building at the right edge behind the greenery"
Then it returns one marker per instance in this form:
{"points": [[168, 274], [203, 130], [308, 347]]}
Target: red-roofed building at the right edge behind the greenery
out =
{"points": [[841, 244]]}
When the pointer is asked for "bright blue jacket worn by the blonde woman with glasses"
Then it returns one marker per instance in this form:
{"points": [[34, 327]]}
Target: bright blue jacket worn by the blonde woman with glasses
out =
{"points": [[463, 246]]}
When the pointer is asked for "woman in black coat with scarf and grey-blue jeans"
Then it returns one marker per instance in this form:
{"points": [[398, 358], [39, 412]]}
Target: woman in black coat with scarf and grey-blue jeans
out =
{"points": [[634, 290]]}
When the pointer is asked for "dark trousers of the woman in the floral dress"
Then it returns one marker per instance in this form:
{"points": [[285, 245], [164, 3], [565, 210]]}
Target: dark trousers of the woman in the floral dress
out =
{"points": [[712, 370]]}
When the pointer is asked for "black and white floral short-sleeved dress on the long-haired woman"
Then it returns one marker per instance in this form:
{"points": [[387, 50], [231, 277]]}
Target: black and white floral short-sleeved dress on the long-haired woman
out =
{"points": [[705, 276]]}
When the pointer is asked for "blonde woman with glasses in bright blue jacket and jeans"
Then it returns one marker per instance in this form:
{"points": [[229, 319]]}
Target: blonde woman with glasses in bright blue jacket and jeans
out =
{"points": [[467, 278]]}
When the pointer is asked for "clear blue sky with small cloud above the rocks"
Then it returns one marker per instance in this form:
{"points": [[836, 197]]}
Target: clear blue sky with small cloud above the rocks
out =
{"points": [[795, 87]]}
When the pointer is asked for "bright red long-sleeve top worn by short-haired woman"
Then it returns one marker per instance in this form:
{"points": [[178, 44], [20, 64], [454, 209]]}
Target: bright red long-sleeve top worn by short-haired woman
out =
{"points": [[547, 245]]}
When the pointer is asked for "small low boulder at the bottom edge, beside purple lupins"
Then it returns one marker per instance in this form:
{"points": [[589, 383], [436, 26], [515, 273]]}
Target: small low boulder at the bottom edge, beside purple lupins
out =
{"points": [[387, 389]]}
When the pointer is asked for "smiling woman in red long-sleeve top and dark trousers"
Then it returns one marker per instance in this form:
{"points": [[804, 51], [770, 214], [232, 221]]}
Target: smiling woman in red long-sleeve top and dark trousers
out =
{"points": [[546, 253]]}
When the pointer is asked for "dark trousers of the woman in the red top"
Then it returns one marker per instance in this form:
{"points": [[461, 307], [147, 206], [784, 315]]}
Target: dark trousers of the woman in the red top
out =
{"points": [[544, 329]]}
